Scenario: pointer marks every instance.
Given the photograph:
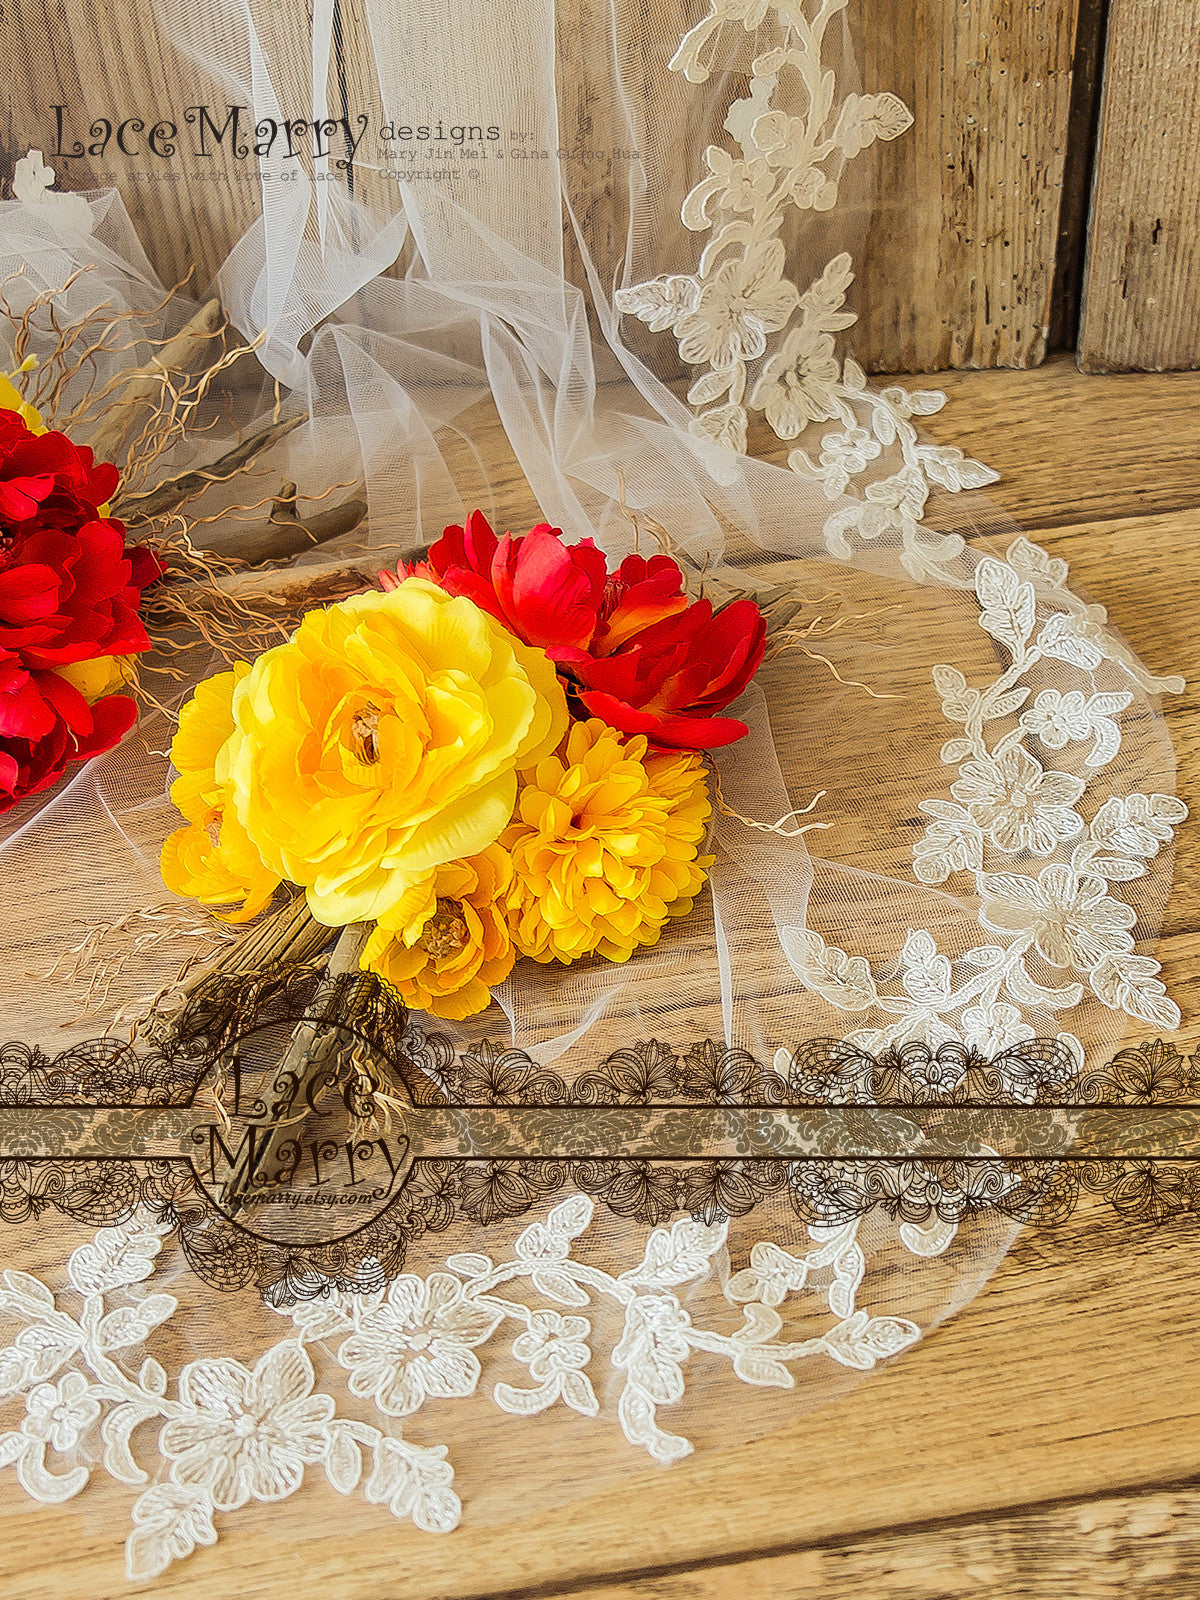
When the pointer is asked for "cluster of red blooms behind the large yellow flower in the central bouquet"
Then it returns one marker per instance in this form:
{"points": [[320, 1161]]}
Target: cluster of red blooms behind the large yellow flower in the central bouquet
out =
{"points": [[636, 654]]}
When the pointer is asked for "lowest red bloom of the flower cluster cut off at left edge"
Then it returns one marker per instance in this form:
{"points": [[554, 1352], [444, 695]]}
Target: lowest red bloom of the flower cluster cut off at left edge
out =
{"points": [[57, 726]]}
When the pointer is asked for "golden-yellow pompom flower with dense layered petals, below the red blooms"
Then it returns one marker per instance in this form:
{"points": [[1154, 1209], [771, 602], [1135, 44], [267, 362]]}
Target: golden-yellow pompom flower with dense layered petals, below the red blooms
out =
{"points": [[606, 846]]}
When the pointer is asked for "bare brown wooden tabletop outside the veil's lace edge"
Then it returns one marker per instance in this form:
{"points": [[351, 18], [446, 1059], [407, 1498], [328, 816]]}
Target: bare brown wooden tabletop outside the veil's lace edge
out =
{"points": [[1046, 1441]]}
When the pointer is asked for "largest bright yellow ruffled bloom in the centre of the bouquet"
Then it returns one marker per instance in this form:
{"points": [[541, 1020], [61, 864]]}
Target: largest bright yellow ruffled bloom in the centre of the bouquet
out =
{"points": [[383, 742]]}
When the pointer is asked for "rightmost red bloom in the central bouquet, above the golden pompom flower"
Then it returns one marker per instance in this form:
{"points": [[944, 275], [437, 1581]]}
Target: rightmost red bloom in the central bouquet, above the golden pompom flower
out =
{"points": [[670, 679]]}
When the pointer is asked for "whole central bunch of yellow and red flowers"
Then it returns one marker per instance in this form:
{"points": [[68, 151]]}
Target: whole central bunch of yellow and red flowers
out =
{"points": [[497, 754]]}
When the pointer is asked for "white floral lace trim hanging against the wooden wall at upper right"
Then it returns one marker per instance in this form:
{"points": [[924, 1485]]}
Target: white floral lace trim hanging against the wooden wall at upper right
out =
{"points": [[764, 343]]}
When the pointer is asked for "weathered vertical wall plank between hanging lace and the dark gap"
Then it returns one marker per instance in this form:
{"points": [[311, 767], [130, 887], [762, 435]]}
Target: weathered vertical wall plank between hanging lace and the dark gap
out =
{"points": [[961, 257]]}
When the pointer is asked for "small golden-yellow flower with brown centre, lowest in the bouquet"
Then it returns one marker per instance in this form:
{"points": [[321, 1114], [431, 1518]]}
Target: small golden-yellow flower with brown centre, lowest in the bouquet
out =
{"points": [[447, 942]]}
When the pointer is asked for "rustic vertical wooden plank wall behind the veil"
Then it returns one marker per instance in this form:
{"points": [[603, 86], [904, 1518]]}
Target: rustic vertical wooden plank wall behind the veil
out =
{"points": [[988, 230]]}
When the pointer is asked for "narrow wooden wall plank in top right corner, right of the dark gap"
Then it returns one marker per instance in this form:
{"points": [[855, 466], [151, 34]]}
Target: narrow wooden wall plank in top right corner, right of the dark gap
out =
{"points": [[1142, 290]]}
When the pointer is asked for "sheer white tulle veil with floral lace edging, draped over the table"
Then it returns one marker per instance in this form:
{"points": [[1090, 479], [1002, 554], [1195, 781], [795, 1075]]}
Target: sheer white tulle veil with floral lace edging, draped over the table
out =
{"points": [[994, 769]]}
